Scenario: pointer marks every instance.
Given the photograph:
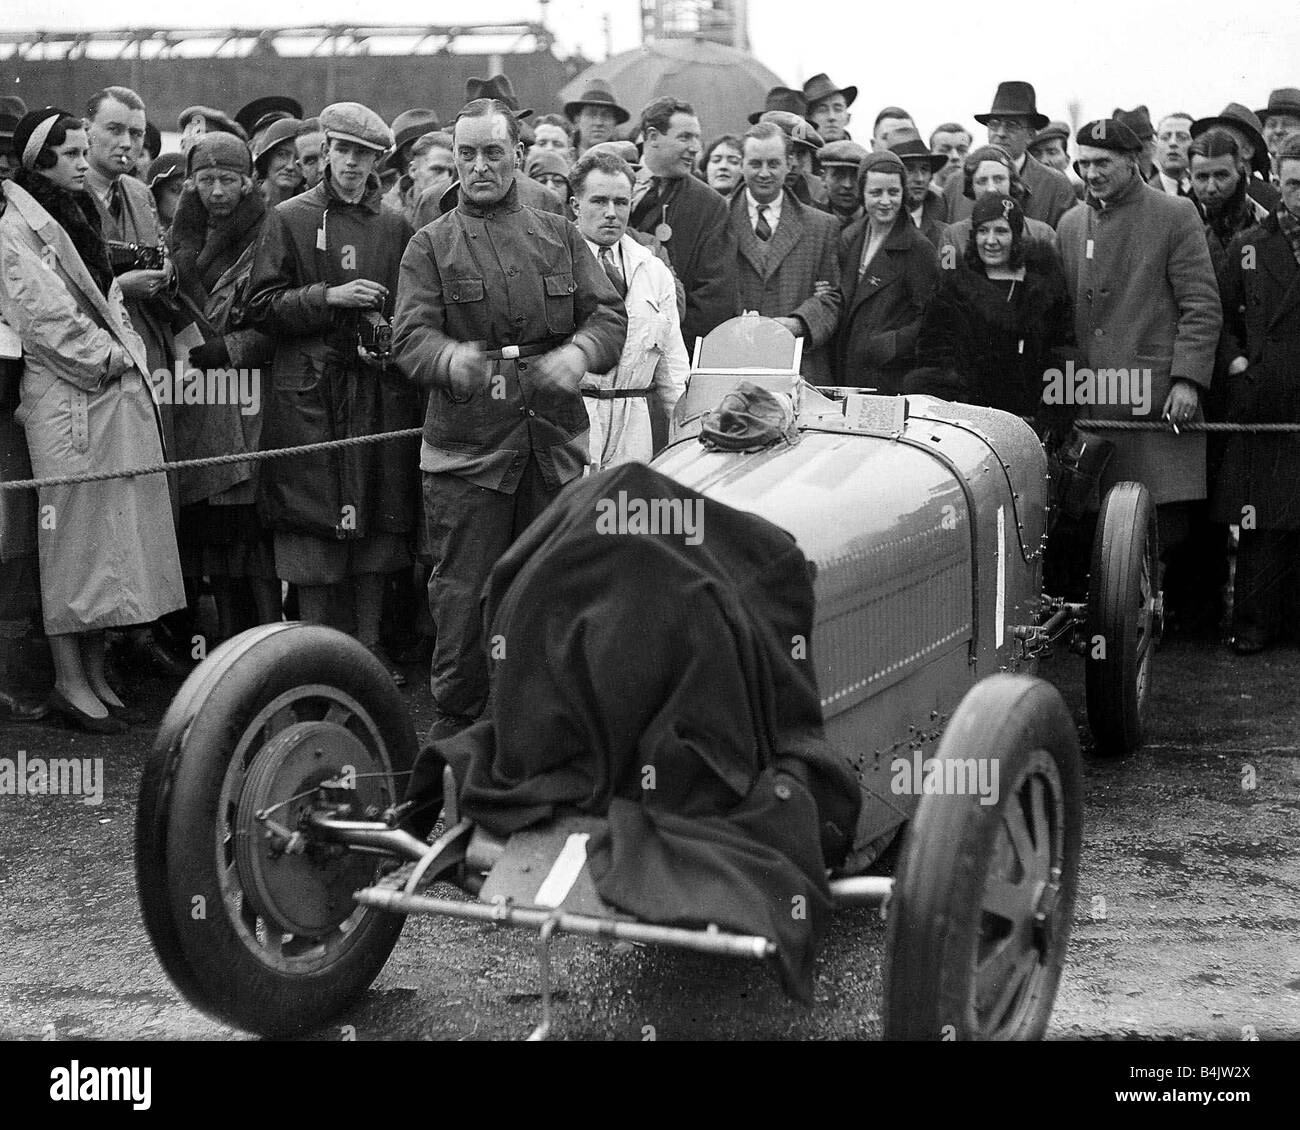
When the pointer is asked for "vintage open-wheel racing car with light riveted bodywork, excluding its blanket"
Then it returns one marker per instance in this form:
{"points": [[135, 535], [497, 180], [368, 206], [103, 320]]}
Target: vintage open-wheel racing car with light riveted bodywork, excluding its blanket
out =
{"points": [[275, 874]]}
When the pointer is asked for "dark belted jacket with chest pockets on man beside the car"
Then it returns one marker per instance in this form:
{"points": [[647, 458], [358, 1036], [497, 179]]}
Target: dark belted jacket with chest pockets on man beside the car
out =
{"points": [[504, 275]]}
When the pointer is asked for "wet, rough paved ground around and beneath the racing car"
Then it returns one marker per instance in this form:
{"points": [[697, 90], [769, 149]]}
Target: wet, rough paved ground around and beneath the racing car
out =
{"points": [[1188, 926]]}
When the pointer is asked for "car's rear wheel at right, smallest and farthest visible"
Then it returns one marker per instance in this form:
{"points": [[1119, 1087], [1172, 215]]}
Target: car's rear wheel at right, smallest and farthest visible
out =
{"points": [[1124, 620]]}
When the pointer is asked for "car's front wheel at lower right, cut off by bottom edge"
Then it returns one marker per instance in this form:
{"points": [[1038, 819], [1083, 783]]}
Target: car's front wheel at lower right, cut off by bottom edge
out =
{"points": [[980, 920]]}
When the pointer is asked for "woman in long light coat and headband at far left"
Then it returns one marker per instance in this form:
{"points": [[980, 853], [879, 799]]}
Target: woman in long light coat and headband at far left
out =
{"points": [[109, 555]]}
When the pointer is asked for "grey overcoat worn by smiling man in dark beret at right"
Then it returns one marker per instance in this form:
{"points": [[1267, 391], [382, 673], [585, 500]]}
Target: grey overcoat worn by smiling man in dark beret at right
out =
{"points": [[1146, 298]]}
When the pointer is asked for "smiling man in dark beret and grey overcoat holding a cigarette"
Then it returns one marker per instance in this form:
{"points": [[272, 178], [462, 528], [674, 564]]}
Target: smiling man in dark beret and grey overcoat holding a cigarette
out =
{"points": [[1147, 304]]}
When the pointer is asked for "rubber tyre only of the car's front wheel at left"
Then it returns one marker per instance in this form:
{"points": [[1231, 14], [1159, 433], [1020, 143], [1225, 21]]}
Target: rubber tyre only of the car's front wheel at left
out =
{"points": [[177, 829]]}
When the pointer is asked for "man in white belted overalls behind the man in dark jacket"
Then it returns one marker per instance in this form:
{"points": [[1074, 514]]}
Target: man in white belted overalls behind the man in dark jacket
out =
{"points": [[630, 406]]}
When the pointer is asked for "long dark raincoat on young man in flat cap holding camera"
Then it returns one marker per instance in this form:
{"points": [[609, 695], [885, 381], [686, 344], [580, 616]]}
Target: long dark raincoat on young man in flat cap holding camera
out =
{"points": [[320, 388]]}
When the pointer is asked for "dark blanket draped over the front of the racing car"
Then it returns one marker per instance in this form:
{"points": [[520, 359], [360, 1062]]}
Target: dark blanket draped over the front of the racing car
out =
{"points": [[662, 679]]}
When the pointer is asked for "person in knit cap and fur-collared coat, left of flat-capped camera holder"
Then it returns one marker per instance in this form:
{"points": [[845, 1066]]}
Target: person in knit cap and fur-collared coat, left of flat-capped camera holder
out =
{"points": [[213, 245]]}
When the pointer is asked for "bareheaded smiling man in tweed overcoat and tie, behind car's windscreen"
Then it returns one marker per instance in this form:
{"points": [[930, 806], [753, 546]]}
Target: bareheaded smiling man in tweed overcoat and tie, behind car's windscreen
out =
{"points": [[787, 265]]}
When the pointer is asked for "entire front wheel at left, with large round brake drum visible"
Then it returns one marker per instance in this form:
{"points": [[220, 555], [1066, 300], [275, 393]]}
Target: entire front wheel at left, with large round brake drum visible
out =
{"points": [[253, 919]]}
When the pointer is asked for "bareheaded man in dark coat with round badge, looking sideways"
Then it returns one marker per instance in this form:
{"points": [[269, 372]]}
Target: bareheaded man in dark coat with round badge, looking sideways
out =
{"points": [[686, 217]]}
